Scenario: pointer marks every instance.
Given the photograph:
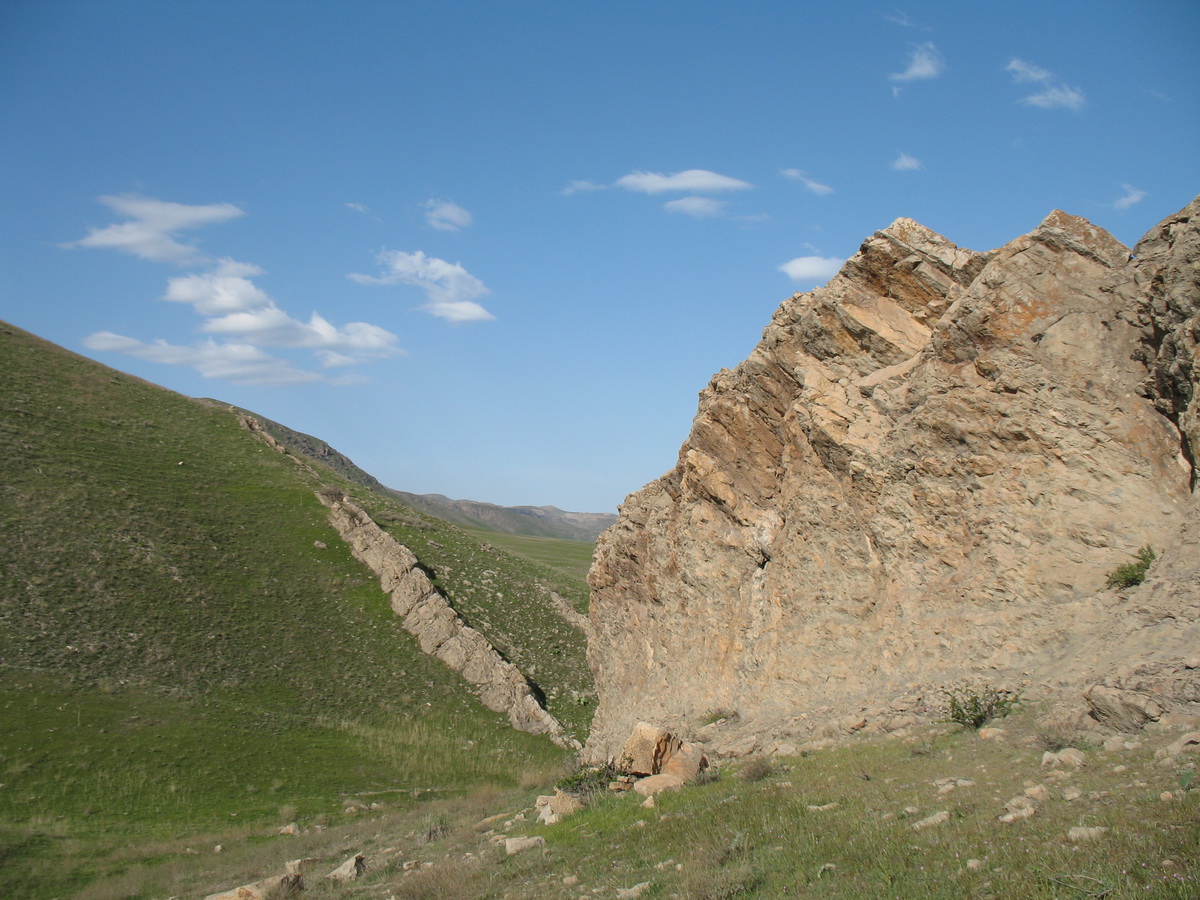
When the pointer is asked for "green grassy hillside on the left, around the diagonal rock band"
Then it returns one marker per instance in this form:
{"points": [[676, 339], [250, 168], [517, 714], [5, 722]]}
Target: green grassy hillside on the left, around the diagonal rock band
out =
{"points": [[185, 644]]}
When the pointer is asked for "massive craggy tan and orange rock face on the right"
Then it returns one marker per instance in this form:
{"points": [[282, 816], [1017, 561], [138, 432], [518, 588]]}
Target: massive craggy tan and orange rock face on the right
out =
{"points": [[922, 476]]}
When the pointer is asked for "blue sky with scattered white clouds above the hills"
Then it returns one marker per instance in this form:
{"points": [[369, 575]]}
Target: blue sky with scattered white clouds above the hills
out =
{"points": [[494, 250]]}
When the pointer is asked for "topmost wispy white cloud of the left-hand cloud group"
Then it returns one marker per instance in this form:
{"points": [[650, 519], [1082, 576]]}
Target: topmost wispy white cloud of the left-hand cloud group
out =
{"points": [[152, 231]]}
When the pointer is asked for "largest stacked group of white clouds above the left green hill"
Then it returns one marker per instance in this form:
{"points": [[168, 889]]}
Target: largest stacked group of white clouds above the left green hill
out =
{"points": [[232, 304]]}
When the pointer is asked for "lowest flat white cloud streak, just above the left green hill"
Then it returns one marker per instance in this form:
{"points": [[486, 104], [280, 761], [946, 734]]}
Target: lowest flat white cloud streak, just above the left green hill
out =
{"points": [[238, 363]]}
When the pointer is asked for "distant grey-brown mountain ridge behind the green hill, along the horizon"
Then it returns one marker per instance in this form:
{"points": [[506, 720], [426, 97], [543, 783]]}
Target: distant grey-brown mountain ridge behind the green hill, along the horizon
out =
{"points": [[532, 521]]}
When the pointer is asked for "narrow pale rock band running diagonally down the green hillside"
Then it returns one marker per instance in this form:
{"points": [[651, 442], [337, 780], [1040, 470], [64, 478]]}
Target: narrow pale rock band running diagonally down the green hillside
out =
{"points": [[430, 617]]}
